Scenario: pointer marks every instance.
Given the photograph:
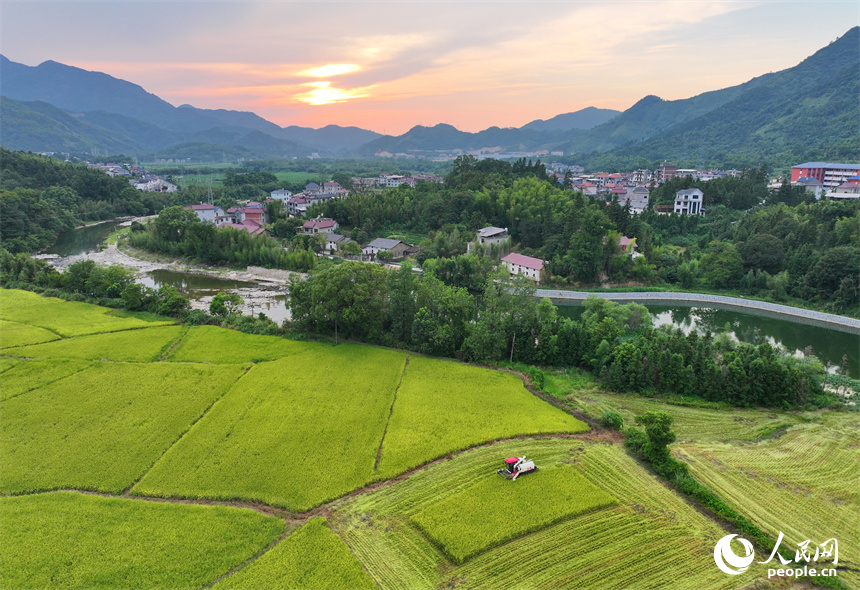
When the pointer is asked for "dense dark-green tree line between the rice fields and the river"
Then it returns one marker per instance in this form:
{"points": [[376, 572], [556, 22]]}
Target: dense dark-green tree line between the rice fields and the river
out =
{"points": [[503, 321]]}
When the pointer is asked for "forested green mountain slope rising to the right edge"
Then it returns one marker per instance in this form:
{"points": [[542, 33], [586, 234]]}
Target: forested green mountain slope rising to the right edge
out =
{"points": [[808, 112]]}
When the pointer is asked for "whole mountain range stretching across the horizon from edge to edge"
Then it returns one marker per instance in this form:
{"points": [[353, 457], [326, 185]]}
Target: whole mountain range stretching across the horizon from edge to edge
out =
{"points": [[809, 111]]}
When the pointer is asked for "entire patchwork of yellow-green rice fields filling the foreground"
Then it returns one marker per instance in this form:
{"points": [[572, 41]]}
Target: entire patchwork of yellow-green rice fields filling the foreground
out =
{"points": [[364, 467]]}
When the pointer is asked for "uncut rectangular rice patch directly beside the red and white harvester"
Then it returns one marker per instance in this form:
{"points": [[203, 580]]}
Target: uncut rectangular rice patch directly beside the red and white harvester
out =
{"points": [[496, 510]]}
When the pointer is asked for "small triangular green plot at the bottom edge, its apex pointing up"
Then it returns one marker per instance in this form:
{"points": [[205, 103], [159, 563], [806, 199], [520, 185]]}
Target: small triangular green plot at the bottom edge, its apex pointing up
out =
{"points": [[312, 557]]}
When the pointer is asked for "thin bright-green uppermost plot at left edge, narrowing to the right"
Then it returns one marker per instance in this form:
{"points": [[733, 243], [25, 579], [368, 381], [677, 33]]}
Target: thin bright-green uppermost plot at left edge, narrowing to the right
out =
{"points": [[67, 318]]}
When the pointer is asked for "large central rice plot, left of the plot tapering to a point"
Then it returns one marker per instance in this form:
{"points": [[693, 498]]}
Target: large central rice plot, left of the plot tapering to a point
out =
{"points": [[293, 433]]}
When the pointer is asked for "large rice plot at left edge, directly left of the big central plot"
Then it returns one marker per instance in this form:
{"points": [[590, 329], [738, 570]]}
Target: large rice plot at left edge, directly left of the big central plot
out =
{"points": [[105, 427]]}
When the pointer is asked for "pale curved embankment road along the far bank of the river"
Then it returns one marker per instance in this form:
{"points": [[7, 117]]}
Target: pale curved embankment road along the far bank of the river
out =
{"points": [[829, 320]]}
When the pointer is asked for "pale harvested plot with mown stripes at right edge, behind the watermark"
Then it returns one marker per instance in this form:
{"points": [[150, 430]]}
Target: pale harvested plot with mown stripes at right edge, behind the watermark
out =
{"points": [[803, 484]]}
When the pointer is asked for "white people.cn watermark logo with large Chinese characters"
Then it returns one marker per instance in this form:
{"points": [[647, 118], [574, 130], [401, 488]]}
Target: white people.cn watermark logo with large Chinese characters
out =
{"points": [[731, 563]]}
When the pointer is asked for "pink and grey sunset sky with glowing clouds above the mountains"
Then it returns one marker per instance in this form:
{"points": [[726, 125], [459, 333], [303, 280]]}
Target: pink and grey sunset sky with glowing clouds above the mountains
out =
{"points": [[388, 66]]}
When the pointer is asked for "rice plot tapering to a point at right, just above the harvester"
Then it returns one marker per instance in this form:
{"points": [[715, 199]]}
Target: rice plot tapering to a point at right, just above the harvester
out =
{"points": [[444, 407]]}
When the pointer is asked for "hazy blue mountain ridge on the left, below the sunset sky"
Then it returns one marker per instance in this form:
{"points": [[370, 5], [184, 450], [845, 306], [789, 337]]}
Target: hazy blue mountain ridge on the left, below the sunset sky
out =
{"points": [[142, 121]]}
